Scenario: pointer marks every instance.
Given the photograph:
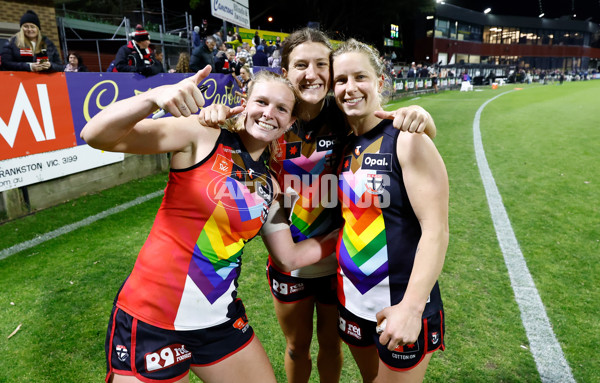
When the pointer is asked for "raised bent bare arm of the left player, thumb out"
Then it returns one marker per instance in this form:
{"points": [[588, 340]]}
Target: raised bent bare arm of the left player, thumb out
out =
{"points": [[123, 126]]}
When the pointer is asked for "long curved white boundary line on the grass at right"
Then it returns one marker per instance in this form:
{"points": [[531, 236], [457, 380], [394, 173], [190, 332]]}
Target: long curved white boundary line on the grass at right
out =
{"points": [[547, 353]]}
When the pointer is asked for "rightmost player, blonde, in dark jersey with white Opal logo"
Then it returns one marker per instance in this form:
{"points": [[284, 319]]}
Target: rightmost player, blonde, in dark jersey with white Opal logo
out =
{"points": [[393, 189]]}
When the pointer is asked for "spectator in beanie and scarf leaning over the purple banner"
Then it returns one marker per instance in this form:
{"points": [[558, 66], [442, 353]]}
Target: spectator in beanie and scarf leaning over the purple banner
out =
{"points": [[137, 56]]}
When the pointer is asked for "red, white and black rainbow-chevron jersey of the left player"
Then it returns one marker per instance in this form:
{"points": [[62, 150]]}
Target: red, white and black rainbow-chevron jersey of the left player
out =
{"points": [[185, 277]]}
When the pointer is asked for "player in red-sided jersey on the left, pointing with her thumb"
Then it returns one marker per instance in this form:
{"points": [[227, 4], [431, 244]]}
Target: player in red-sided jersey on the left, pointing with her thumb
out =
{"points": [[178, 310]]}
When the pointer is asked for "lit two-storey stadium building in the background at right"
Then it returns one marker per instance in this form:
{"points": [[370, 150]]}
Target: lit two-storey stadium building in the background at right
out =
{"points": [[460, 38]]}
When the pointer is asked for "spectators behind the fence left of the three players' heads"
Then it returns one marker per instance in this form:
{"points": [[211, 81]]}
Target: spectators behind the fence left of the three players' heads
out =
{"points": [[29, 50]]}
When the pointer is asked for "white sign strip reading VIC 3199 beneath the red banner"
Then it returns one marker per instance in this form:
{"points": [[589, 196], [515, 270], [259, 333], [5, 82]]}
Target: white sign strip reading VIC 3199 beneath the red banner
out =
{"points": [[23, 171]]}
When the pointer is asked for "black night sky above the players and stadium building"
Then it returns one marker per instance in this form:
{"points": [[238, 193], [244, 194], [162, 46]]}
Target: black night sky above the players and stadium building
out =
{"points": [[369, 20]]}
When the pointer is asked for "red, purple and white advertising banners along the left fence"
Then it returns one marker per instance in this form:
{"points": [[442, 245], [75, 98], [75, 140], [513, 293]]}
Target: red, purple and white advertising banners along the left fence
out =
{"points": [[42, 115]]}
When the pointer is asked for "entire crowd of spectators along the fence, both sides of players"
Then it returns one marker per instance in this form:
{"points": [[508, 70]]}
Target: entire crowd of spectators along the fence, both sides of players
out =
{"points": [[29, 50]]}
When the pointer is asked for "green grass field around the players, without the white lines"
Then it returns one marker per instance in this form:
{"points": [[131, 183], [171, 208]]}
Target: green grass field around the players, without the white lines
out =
{"points": [[541, 143]]}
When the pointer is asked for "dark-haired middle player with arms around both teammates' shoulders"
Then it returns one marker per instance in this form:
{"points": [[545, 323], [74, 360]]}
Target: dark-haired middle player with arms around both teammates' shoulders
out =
{"points": [[310, 152]]}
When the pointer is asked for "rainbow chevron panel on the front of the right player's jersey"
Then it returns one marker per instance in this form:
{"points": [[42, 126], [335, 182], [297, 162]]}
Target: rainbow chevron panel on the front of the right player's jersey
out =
{"points": [[362, 251]]}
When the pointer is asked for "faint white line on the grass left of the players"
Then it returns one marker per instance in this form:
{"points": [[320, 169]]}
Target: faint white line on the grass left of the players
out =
{"points": [[68, 228]]}
